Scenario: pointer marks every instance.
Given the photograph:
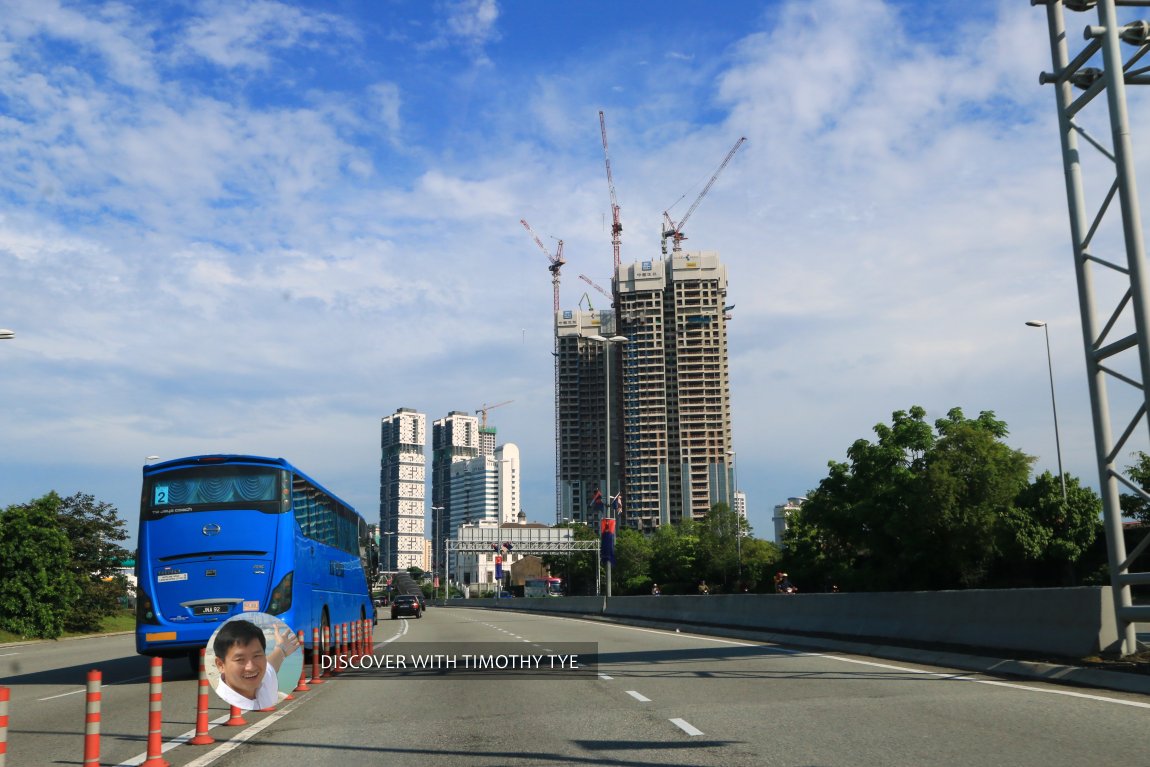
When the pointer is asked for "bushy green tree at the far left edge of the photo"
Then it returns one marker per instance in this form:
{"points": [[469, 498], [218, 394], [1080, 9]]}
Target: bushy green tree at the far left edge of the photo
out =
{"points": [[37, 586]]}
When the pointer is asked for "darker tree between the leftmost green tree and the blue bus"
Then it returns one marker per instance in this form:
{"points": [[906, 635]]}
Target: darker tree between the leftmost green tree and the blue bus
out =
{"points": [[95, 530]]}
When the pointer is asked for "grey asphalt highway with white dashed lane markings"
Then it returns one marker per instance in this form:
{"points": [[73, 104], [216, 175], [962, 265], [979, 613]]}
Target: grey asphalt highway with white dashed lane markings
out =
{"points": [[656, 699]]}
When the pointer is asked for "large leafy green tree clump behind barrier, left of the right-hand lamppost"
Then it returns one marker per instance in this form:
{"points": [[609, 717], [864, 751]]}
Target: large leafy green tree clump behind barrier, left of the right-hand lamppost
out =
{"points": [[919, 509]]}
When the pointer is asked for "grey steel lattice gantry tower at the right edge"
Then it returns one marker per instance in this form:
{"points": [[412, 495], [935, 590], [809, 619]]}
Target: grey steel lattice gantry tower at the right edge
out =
{"points": [[1114, 292]]}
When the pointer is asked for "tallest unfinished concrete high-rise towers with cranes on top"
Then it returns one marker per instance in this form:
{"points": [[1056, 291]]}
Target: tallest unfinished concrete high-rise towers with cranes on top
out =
{"points": [[645, 396]]}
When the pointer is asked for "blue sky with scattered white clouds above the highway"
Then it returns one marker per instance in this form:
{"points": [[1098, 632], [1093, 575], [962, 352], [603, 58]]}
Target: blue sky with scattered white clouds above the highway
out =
{"points": [[259, 227]]}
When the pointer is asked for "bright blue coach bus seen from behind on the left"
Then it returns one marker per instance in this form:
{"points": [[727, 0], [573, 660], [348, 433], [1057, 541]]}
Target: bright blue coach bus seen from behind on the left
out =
{"points": [[223, 535]]}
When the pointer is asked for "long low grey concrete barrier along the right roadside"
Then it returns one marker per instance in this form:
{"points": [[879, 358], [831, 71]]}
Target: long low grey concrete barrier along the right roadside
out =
{"points": [[1067, 623]]}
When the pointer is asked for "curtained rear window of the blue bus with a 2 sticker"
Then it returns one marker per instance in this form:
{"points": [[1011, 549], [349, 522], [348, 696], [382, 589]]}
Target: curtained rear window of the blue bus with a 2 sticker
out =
{"points": [[214, 487]]}
